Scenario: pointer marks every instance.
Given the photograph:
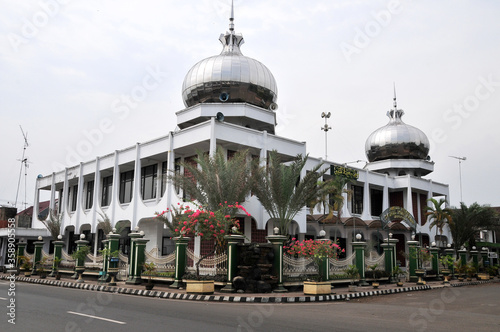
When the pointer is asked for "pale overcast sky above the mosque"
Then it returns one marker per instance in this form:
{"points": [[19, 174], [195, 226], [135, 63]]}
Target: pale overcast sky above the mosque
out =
{"points": [[65, 67]]}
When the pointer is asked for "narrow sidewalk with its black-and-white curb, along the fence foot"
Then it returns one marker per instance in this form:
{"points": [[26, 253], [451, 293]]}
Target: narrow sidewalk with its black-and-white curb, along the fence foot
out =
{"points": [[163, 291]]}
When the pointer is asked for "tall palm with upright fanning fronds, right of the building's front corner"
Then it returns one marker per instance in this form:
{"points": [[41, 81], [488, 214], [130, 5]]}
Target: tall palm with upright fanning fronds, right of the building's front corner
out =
{"points": [[281, 190]]}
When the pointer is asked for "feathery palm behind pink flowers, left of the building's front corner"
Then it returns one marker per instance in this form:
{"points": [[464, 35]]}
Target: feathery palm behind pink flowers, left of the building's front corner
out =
{"points": [[215, 180]]}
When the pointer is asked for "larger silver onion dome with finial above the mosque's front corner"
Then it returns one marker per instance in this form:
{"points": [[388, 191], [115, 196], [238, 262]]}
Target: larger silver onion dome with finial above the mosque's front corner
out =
{"points": [[230, 77]]}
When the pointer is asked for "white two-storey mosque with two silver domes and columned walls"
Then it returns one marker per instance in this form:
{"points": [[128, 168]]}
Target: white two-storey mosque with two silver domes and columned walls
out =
{"points": [[230, 103]]}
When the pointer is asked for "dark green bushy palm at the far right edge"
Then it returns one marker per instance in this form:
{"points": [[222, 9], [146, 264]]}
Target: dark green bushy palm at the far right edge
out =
{"points": [[469, 220]]}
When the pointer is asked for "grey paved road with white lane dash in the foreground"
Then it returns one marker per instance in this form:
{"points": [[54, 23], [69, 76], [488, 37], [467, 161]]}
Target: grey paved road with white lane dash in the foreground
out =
{"points": [[47, 308]]}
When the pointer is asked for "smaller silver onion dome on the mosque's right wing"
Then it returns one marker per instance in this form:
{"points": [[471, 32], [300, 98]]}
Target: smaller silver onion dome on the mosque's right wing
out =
{"points": [[397, 140]]}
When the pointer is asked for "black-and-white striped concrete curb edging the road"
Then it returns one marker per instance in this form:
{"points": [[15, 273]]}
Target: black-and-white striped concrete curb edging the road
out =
{"points": [[224, 298]]}
